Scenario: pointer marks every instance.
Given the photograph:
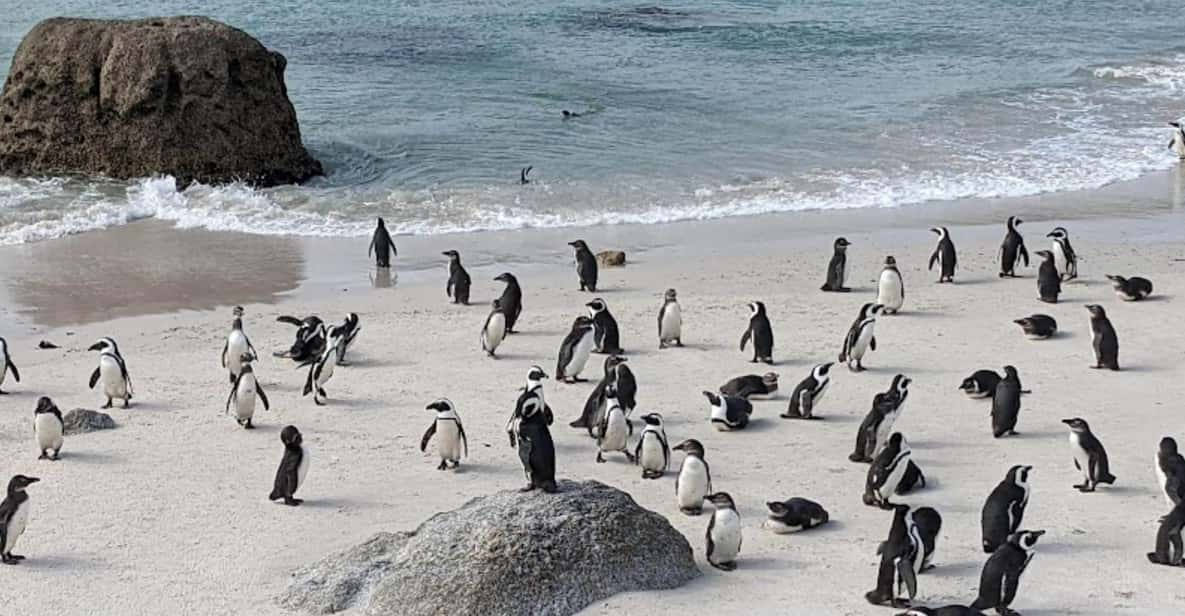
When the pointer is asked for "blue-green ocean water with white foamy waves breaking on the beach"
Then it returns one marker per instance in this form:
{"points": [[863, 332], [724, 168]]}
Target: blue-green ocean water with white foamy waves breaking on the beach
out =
{"points": [[425, 112]]}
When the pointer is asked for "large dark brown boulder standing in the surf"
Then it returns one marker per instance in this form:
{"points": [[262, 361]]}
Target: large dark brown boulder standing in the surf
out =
{"points": [[185, 97]]}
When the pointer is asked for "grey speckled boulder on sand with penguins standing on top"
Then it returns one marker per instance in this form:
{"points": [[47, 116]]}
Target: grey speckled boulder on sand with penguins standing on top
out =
{"points": [[509, 554]]}
